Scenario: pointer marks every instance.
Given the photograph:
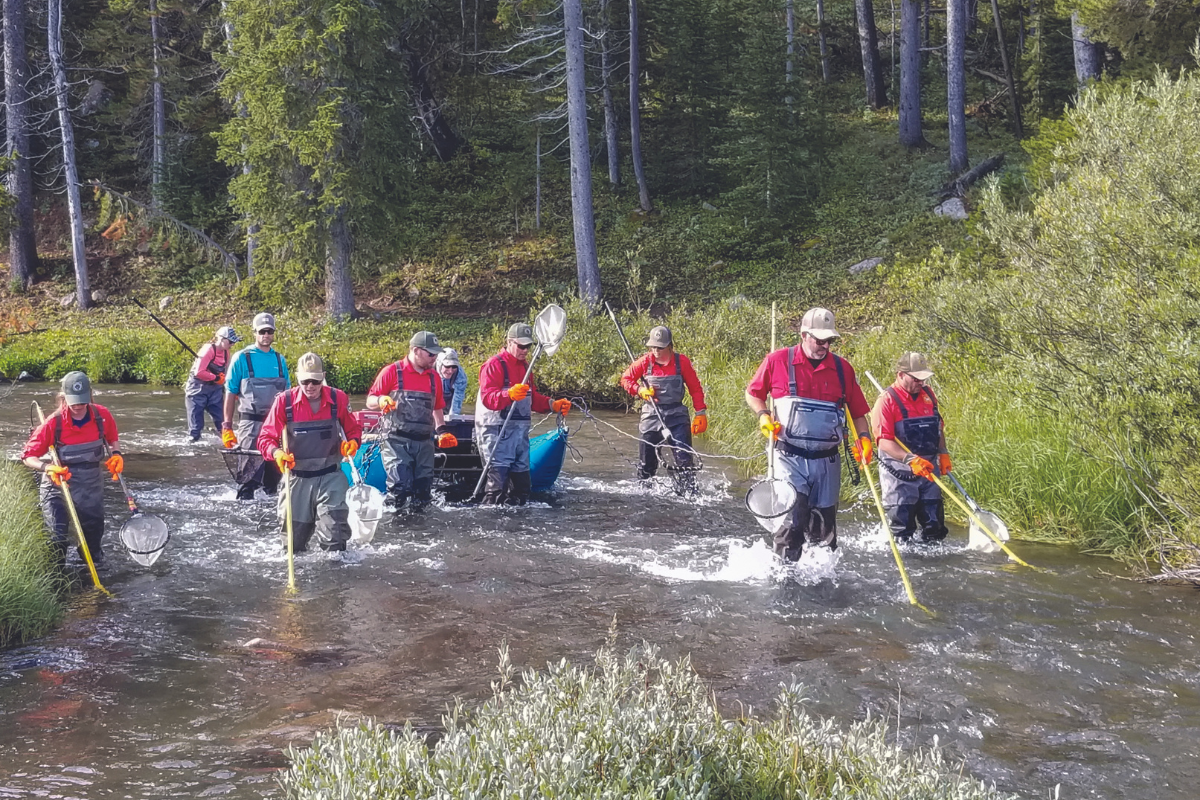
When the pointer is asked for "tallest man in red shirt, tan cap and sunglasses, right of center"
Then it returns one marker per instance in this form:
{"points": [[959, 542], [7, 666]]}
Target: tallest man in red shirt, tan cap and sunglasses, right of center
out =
{"points": [[812, 389]]}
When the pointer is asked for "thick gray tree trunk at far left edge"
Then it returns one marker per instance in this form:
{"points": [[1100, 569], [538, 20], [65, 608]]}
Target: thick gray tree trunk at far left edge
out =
{"points": [[22, 243]]}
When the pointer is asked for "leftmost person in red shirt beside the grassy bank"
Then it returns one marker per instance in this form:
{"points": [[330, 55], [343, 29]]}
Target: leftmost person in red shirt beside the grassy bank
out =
{"points": [[77, 431]]}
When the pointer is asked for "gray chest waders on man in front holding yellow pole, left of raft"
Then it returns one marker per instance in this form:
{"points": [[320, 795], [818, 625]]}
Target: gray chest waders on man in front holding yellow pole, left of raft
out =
{"points": [[319, 486]]}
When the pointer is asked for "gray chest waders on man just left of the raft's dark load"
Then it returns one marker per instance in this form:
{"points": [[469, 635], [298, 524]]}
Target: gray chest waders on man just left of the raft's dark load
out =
{"points": [[409, 449]]}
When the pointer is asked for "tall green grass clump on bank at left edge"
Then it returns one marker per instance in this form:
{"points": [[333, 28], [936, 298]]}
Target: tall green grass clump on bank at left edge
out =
{"points": [[31, 587]]}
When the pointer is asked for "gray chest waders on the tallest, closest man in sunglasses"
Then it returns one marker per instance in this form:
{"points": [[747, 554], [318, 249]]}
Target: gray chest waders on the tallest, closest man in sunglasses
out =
{"points": [[807, 454]]}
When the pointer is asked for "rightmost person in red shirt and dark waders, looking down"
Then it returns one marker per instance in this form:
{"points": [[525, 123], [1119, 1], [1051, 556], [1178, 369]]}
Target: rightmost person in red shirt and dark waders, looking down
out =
{"points": [[908, 412]]}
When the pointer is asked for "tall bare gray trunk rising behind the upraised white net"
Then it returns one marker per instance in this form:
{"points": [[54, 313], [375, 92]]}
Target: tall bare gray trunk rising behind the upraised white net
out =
{"points": [[587, 266]]}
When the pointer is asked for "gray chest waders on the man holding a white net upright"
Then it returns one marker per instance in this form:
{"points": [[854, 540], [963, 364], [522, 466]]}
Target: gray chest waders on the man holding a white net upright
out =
{"points": [[508, 478]]}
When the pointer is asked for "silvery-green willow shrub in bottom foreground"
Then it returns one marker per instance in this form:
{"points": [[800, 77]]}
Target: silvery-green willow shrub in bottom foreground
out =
{"points": [[637, 726]]}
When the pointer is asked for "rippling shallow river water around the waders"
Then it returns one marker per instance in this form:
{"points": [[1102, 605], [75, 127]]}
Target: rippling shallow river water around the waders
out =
{"points": [[1075, 678]]}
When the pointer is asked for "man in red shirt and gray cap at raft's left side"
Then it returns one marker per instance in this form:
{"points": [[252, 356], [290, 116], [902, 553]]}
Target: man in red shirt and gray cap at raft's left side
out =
{"points": [[410, 394]]}
